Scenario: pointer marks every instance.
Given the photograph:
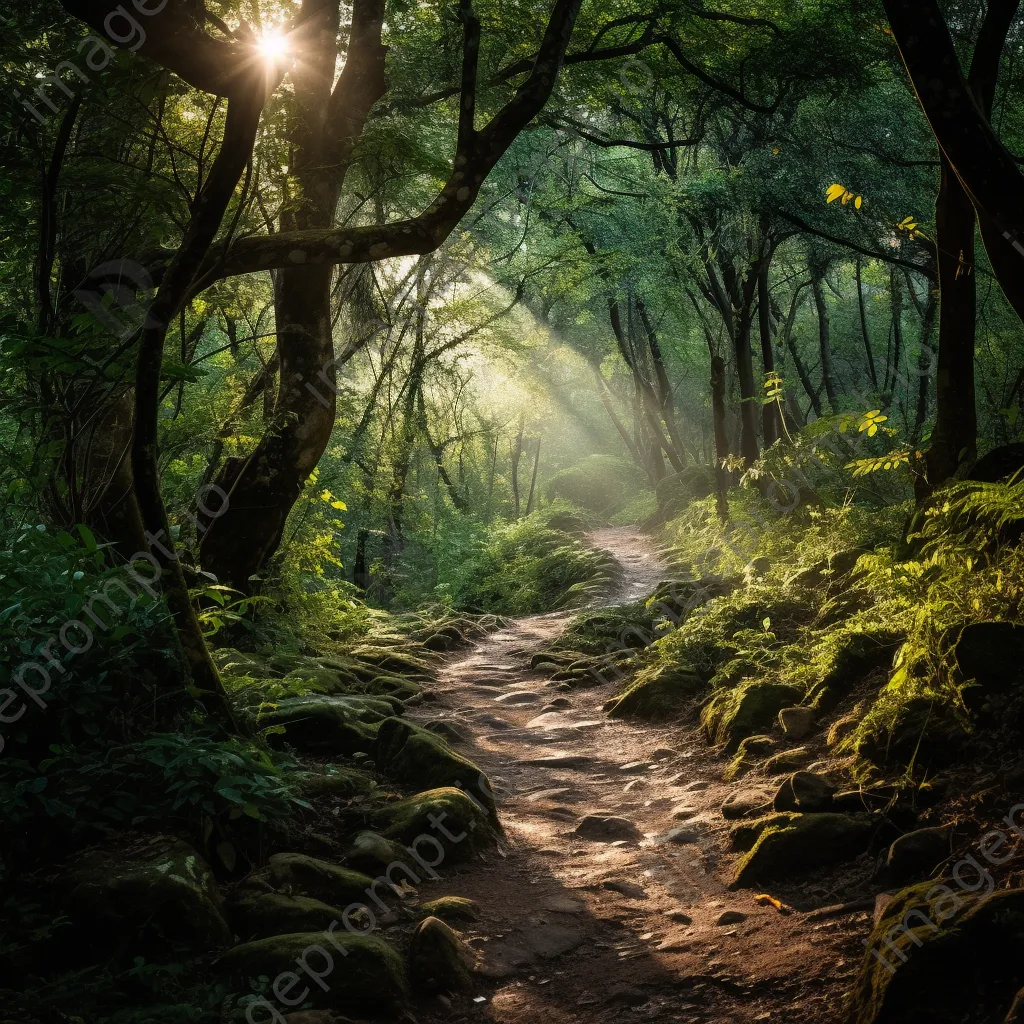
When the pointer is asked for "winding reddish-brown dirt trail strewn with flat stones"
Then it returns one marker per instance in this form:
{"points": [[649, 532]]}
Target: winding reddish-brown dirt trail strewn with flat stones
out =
{"points": [[624, 926]]}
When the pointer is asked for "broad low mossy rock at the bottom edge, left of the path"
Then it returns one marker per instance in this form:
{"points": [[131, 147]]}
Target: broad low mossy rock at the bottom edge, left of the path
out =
{"points": [[357, 972]]}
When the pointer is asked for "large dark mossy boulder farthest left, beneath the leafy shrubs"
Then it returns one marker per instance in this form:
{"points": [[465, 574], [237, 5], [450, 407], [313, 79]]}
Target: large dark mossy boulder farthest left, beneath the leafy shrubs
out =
{"points": [[151, 893]]}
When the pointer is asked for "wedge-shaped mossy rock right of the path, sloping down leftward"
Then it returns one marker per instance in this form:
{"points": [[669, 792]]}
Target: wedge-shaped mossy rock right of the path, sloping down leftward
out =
{"points": [[798, 844]]}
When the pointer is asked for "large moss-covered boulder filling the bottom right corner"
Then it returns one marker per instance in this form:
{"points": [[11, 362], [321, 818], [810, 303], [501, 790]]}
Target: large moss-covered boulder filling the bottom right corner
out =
{"points": [[943, 955]]}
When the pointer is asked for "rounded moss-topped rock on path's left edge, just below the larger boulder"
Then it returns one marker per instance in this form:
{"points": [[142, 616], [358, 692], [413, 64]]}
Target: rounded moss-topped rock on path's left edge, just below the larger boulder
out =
{"points": [[408, 821]]}
